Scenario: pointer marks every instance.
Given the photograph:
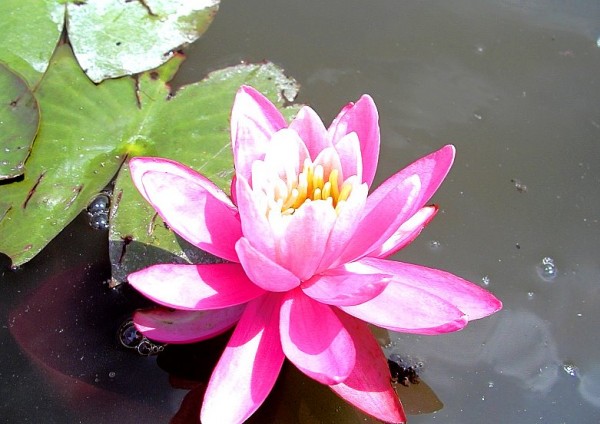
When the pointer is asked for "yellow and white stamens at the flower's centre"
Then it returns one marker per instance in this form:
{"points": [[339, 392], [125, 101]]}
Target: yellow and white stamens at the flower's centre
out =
{"points": [[311, 184]]}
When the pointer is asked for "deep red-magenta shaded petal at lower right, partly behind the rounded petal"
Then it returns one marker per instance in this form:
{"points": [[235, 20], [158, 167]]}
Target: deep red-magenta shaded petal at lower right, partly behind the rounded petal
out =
{"points": [[368, 386]]}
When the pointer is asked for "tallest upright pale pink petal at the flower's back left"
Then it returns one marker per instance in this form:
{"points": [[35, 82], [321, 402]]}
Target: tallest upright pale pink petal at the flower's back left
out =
{"points": [[254, 119]]}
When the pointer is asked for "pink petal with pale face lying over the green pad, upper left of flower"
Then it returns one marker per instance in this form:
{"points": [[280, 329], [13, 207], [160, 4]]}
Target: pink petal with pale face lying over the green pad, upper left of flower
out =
{"points": [[190, 204]]}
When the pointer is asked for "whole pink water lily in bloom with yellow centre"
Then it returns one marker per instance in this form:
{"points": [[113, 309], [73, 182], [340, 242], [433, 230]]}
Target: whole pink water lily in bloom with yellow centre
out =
{"points": [[305, 246]]}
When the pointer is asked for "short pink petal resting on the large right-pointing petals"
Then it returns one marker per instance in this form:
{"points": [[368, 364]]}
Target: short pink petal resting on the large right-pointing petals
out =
{"points": [[347, 285]]}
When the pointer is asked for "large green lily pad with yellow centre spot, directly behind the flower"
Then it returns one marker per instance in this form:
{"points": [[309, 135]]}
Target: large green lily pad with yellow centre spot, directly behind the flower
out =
{"points": [[88, 131]]}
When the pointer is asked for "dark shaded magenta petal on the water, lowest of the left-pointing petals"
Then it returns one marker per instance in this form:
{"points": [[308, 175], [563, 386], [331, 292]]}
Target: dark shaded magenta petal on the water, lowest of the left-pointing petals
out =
{"points": [[174, 326]]}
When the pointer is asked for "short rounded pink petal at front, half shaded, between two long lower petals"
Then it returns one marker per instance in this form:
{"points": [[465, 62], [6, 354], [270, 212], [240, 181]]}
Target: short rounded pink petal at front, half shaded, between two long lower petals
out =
{"points": [[314, 339]]}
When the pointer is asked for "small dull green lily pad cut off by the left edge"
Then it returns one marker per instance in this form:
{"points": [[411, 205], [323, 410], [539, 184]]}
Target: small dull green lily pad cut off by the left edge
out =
{"points": [[19, 117]]}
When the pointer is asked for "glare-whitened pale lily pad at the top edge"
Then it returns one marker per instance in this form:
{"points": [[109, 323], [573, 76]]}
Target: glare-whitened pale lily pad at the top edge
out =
{"points": [[112, 38]]}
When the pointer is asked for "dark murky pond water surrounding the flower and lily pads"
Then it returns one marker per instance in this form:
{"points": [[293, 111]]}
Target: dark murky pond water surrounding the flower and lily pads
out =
{"points": [[515, 85]]}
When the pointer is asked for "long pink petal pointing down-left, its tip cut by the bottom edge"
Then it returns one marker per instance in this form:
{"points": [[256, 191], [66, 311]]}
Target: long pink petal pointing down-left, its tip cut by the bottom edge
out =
{"points": [[249, 366]]}
